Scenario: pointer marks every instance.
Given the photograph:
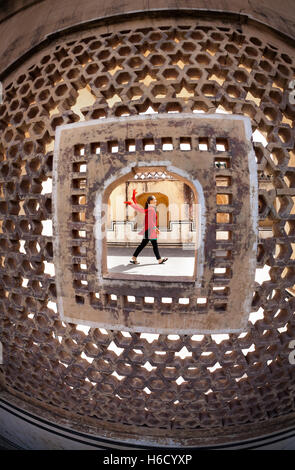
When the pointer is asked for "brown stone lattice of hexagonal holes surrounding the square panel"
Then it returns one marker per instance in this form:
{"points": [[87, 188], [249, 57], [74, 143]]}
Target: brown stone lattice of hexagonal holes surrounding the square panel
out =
{"points": [[181, 386]]}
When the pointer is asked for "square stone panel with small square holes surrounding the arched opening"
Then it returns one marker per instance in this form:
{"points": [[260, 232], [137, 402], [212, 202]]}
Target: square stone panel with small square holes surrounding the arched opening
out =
{"points": [[214, 156]]}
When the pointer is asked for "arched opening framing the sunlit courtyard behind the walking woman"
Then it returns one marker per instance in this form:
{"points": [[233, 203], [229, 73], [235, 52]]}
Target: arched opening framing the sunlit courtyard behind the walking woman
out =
{"points": [[178, 216]]}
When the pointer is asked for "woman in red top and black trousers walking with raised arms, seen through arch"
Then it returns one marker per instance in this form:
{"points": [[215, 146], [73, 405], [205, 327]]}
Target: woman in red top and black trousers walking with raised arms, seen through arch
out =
{"points": [[150, 230]]}
